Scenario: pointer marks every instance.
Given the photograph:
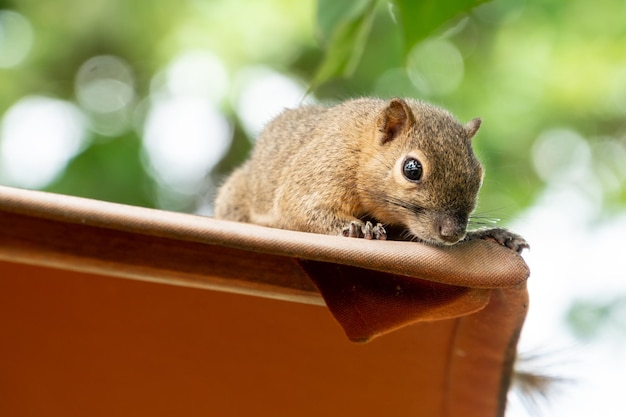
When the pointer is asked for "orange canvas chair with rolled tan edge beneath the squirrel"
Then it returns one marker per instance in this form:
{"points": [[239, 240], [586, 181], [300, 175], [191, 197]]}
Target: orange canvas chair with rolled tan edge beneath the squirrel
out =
{"points": [[251, 321]]}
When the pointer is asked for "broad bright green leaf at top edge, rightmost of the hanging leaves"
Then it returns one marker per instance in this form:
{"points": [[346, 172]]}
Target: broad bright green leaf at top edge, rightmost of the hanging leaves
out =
{"points": [[419, 19]]}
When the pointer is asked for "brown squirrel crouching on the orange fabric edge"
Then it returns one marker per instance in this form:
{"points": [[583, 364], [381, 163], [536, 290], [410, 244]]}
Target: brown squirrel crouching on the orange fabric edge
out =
{"points": [[366, 168]]}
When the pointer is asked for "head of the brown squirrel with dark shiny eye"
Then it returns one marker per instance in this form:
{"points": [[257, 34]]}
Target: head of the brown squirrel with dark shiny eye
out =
{"points": [[421, 173]]}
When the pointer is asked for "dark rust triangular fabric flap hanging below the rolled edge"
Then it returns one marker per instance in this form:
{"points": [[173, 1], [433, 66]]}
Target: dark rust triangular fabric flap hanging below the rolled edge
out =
{"points": [[368, 304]]}
